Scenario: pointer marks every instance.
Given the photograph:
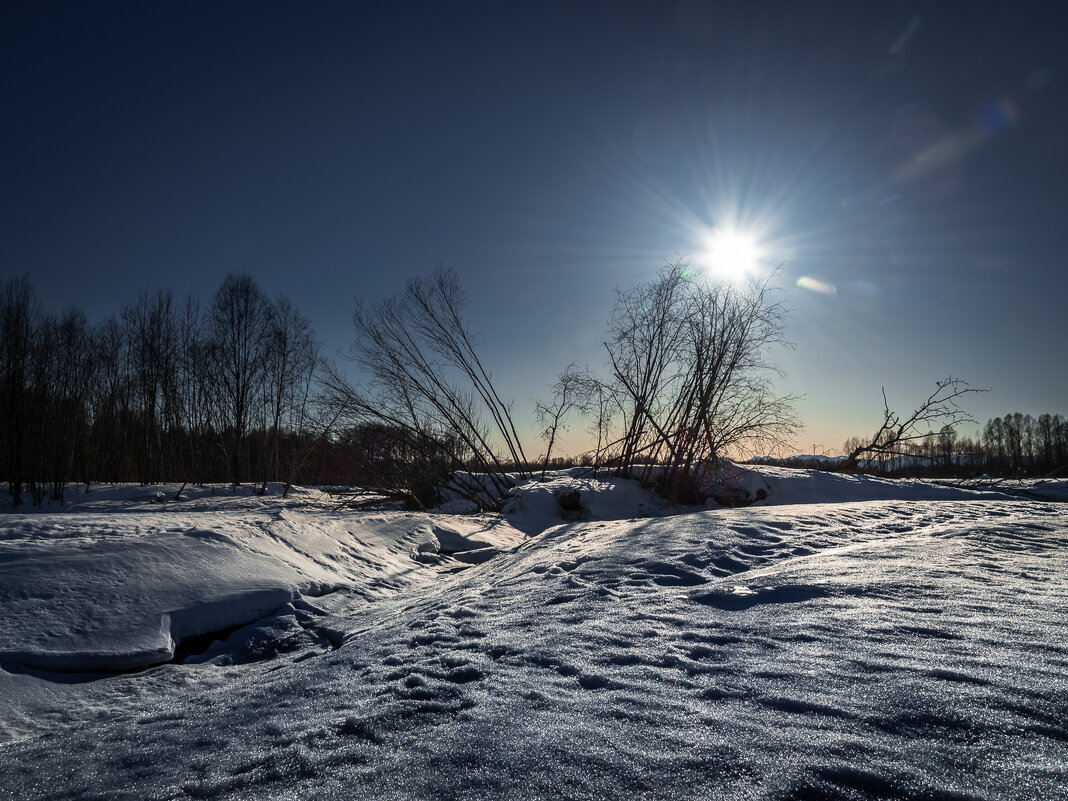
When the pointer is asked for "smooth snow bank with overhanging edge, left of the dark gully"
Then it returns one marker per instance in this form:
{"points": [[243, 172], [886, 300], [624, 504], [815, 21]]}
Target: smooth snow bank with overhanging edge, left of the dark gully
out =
{"points": [[99, 592]]}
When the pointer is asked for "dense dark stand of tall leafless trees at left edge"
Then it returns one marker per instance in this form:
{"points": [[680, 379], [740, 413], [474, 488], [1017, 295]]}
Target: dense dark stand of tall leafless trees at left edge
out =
{"points": [[165, 390]]}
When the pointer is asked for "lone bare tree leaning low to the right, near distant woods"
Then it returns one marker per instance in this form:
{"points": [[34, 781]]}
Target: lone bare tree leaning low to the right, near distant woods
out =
{"points": [[941, 410]]}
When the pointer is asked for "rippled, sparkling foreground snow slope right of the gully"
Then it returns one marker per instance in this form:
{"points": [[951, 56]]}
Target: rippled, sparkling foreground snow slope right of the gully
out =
{"points": [[901, 649]]}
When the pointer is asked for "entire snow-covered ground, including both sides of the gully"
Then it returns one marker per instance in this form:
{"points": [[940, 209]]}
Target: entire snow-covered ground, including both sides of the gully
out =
{"points": [[854, 639]]}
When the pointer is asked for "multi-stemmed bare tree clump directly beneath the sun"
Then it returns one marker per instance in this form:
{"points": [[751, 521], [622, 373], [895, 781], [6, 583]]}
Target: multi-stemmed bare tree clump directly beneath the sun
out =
{"points": [[692, 372]]}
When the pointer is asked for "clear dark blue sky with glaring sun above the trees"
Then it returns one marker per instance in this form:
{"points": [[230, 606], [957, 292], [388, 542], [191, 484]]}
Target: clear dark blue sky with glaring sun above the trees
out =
{"points": [[906, 160]]}
